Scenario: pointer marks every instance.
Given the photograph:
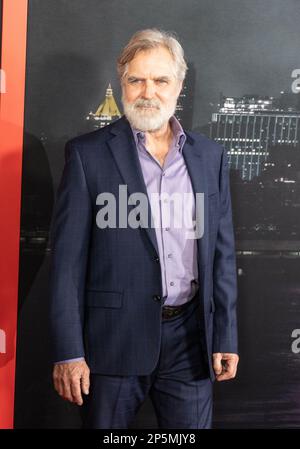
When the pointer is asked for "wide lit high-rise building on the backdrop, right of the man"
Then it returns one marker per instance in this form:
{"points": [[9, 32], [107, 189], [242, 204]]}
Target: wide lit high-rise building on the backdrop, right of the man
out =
{"points": [[249, 126]]}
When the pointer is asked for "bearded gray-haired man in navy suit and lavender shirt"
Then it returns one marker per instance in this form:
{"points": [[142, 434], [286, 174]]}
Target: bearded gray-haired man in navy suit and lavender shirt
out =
{"points": [[142, 308]]}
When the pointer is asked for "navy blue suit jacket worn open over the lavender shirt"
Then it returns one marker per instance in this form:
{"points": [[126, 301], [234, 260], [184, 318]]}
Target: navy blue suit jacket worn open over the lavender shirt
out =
{"points": [[105, 300]]}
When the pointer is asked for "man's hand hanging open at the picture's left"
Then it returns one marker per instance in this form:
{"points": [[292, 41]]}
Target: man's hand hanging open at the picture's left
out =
{"points": [[71, 379]]}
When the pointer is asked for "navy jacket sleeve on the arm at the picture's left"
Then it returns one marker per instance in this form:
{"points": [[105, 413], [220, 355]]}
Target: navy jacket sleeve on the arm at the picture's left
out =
{"points": [[69, 239]]}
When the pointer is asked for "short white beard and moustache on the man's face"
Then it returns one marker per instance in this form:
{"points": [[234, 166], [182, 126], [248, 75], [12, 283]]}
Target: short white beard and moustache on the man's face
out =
{"points": [[148, 119]]}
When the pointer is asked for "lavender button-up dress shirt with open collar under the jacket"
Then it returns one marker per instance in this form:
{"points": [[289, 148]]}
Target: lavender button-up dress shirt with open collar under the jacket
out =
{"points": [[177, 254]]}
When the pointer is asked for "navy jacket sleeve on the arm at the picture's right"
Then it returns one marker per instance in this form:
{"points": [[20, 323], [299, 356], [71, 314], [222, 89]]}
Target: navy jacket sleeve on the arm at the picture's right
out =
{"points": [[224, 272]]}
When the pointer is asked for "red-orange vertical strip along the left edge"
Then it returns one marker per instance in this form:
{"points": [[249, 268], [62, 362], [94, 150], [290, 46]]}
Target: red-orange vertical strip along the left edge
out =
{"points": [[13, 57]]}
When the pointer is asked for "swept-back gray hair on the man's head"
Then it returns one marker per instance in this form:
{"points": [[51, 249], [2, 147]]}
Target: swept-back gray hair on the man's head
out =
{"points": [[148, 39]]}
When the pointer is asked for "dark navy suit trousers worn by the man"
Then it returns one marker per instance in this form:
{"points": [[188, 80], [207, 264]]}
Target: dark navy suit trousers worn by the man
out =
{"points": [[179, 386]]}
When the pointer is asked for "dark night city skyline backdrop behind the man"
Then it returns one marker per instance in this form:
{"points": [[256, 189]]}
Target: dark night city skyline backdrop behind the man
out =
{"points": [[242, 90]]}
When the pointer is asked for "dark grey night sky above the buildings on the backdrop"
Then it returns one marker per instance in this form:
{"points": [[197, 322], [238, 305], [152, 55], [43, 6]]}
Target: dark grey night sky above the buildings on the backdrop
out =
{"points": [[236, 46]]}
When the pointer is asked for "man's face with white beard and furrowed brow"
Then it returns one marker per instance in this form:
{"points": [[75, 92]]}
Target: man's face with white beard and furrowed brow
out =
{"points": [[150, 89]]}
